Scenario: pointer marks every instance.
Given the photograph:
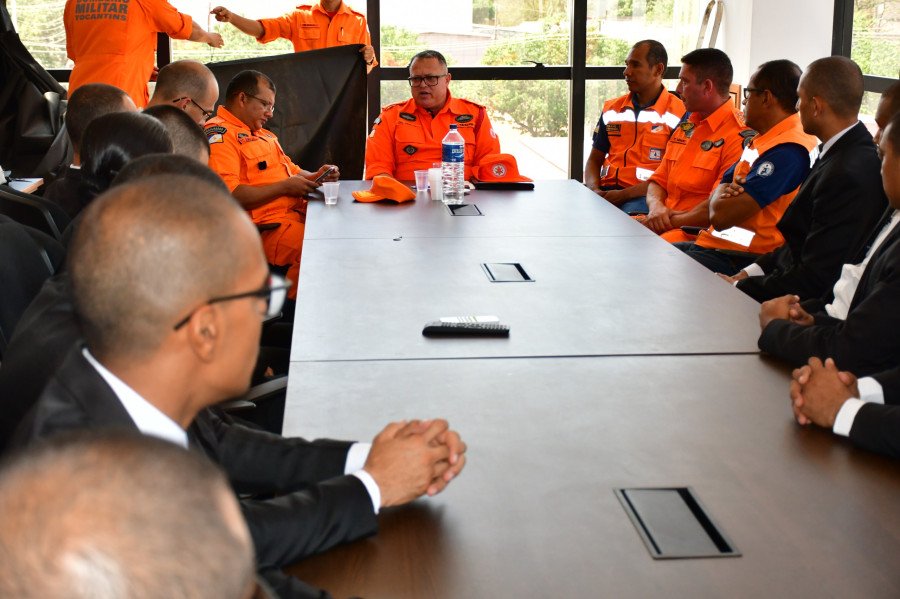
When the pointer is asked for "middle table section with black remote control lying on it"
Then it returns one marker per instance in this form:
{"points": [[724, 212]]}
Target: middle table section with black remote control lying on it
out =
{"points": [[369, 299]]}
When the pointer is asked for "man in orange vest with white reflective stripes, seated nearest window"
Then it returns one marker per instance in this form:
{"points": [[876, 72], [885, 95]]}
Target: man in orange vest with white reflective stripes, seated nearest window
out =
{"points": [[633, 130]]}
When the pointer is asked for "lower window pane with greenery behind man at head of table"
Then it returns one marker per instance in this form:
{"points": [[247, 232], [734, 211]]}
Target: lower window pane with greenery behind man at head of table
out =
{"points": [[539, 141]]}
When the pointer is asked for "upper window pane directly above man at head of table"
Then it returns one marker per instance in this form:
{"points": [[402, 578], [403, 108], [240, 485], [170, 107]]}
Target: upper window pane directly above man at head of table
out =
{"points": [[476, 32]]}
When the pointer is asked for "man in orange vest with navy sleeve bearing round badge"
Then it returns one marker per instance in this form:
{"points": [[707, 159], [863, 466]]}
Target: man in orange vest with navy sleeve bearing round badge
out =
{"points": [[757, 190]]}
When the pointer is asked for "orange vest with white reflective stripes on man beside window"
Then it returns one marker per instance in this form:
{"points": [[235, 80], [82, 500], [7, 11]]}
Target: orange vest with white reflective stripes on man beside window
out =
{"points": [[634, 138]]}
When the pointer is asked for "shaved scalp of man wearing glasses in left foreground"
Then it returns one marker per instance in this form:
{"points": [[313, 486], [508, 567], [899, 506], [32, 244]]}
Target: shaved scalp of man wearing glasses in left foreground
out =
{"points": [[148, 252]]}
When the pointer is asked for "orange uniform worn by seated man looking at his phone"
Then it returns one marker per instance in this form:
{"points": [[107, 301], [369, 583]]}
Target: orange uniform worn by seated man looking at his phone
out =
{"points": [[244, 157]]}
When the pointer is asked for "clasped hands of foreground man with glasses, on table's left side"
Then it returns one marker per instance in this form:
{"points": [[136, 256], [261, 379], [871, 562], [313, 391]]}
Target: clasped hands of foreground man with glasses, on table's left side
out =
{"points": [[409, 459]]}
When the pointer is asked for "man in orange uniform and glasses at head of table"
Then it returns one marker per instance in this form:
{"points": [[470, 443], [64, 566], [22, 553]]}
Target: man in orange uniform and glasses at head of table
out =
{"points": [[407, 136]]}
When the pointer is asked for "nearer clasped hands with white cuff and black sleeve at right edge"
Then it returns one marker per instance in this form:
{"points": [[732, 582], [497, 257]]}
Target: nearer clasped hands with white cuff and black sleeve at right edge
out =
{"points": [[866, 410]]}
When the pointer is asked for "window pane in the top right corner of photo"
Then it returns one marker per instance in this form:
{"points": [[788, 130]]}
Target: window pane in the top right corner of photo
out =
{"points": [[876, 37]]}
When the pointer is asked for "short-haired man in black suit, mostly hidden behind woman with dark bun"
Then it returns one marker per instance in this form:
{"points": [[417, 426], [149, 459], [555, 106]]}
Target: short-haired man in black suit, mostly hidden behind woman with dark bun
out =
{"points": [[85, 104]]}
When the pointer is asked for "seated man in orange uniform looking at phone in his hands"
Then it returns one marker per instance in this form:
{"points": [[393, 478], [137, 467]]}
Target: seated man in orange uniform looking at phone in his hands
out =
{"points": [[258, 172]]}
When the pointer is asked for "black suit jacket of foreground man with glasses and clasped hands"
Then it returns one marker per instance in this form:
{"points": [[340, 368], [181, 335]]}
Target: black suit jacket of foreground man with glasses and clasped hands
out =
{"points": [[316, 506]]}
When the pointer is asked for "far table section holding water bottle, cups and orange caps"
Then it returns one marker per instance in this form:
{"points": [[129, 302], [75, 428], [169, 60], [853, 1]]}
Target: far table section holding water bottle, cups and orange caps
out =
{"points": [[554, 208]]}
